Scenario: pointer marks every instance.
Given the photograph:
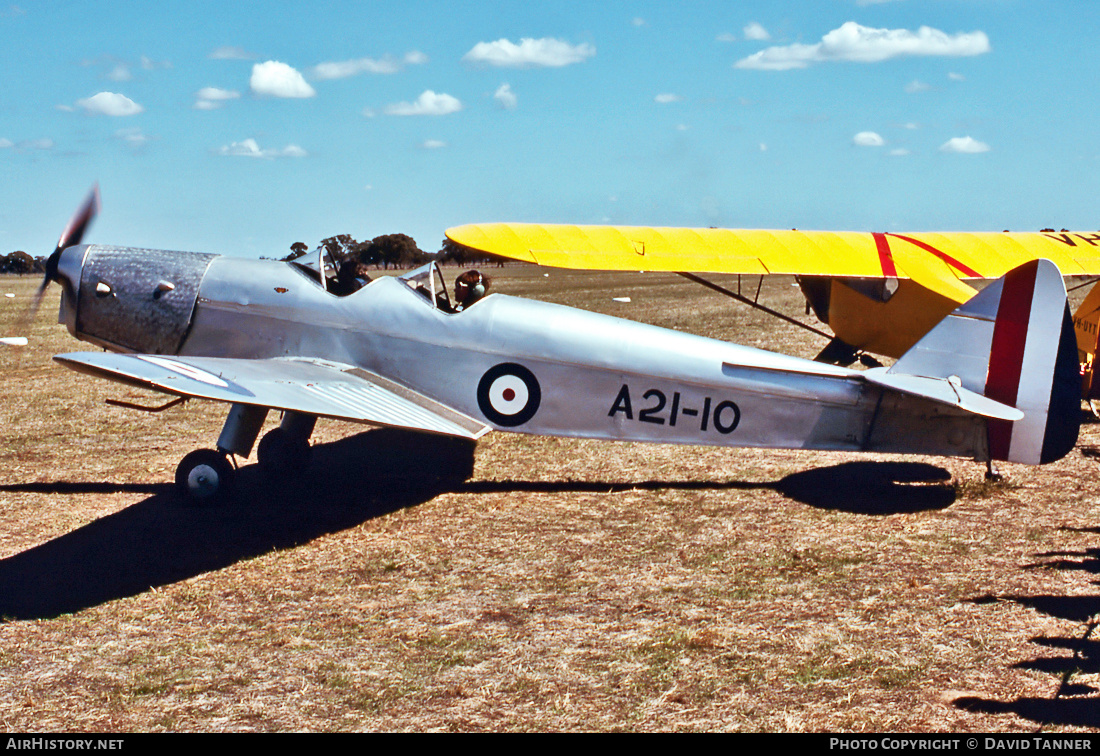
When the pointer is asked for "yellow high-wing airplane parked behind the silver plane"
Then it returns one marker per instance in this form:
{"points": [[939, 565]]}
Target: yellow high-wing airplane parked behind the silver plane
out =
{"points": [[879, 293]]}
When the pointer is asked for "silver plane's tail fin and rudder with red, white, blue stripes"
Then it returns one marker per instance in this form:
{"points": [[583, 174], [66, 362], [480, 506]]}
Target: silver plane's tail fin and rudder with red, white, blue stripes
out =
{"points": [[1015, 344]]}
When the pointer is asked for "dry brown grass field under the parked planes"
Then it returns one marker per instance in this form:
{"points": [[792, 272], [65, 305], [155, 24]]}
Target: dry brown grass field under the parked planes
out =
{"points": [[566, 586]]}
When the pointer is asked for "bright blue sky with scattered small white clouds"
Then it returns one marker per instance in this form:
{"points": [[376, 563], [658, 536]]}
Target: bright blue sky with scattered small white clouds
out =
{"points": [[241, 128]]}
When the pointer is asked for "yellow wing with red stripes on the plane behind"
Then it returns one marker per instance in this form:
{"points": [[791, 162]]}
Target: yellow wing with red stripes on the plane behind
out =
{"points": [[826, 254]]}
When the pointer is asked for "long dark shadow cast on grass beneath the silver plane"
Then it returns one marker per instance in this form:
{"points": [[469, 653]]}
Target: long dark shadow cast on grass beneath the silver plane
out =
{"points": [[161, 541]]}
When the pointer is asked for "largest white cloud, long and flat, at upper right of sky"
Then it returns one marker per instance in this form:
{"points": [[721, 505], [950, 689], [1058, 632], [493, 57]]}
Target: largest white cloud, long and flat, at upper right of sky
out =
{"points": [[862, 45]]}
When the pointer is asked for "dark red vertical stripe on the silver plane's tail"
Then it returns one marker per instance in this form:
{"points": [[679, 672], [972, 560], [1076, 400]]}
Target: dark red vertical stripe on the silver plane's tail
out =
{"points": [[1007, 353]]}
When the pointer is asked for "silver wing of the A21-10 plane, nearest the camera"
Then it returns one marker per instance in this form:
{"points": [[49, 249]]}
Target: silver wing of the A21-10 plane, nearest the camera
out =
{"points": [[311, 387]]}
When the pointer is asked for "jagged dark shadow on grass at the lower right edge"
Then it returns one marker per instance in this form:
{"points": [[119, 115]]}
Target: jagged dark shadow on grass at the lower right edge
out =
{"points": [[1073, 704]]}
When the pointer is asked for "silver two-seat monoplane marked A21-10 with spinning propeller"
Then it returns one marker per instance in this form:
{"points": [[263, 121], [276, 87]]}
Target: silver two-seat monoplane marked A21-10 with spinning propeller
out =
{"points": [[997, 380]]}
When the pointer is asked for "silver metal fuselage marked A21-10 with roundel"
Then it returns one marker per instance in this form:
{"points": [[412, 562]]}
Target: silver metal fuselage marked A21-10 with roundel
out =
{"points": [[513, 364]]}
